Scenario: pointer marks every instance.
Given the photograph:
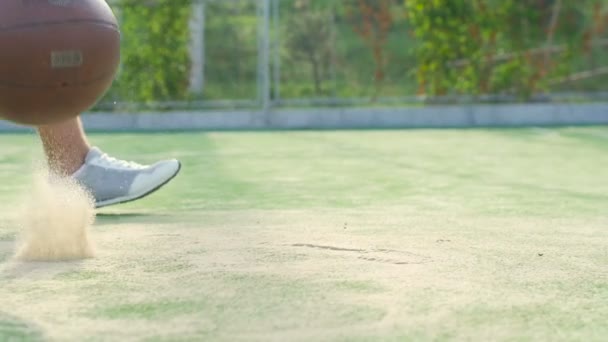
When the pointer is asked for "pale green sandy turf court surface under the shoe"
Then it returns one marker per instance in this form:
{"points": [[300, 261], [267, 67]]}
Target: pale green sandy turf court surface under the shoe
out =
{"points": [[343, 236]]}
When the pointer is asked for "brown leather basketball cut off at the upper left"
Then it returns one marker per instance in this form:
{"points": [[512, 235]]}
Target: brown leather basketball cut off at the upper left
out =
{"points": [[57, 58]]}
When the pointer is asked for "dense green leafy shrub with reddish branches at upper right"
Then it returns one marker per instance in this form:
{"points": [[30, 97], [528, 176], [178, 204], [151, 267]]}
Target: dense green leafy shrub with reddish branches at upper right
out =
{"points": [[494, 46]]}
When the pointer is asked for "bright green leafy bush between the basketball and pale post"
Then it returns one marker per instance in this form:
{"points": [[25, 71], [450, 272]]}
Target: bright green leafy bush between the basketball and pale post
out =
{"points": [[155, 56]]}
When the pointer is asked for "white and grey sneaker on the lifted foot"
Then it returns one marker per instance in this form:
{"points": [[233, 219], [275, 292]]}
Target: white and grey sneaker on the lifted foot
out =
{"points": [[112, 181]]}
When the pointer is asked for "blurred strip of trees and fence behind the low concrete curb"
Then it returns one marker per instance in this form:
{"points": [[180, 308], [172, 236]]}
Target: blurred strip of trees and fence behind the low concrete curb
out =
{"points": [[357, 52]]}
